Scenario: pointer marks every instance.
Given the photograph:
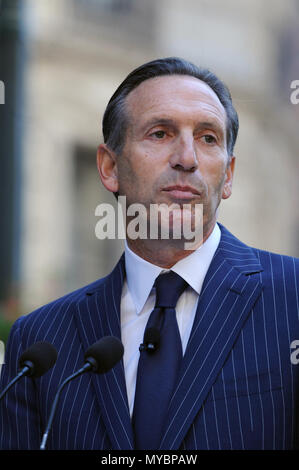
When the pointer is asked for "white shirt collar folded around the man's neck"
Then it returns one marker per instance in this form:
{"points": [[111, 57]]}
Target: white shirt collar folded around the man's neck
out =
{"points": [[141, 274]]}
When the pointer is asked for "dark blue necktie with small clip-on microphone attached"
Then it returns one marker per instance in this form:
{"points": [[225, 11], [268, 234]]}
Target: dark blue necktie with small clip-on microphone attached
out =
{"points": [[157, 371]]}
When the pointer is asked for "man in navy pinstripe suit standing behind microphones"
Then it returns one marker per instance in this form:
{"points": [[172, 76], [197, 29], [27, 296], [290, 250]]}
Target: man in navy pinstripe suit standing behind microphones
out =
{"points": [[169, 133]]}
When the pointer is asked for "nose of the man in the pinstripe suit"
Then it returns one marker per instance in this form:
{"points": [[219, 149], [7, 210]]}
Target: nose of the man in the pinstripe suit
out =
{"points": [[183, 156]]}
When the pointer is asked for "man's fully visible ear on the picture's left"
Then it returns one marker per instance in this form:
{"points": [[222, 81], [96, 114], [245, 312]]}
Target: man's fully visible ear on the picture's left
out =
{"points": [[107, 168]]}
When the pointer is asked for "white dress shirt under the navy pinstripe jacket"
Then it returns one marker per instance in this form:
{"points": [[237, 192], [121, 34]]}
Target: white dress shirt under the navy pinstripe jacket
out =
{"points": [[138, 300]]}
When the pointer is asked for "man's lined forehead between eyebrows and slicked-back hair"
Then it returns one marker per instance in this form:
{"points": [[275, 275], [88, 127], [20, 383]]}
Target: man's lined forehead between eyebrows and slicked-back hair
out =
{"points": [[174, 96]]}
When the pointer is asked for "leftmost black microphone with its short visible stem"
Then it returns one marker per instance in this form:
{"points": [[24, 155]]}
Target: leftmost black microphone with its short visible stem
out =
{"points": [[34, 362]]}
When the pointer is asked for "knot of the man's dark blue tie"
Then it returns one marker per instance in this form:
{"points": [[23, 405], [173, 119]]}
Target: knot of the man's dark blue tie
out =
{"points": [[169, 287]]}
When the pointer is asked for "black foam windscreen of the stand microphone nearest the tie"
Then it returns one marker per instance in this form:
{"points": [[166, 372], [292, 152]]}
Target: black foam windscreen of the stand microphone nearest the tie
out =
{"points": [[104, 354]]}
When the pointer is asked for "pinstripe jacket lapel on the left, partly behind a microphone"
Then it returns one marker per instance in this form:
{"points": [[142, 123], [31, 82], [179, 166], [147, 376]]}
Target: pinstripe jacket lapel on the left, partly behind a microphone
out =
{"points": [[98, 315]]}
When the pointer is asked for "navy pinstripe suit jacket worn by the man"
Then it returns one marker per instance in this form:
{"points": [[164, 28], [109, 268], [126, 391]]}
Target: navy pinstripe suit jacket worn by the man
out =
{"points": [[237, 388]]}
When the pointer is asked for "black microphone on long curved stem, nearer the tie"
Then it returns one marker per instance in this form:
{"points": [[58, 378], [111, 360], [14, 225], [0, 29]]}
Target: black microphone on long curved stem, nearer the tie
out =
{"points": [[100, 357]]}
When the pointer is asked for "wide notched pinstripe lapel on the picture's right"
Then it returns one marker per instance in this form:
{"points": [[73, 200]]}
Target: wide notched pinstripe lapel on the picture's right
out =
{"points": [[228, 295]]}
